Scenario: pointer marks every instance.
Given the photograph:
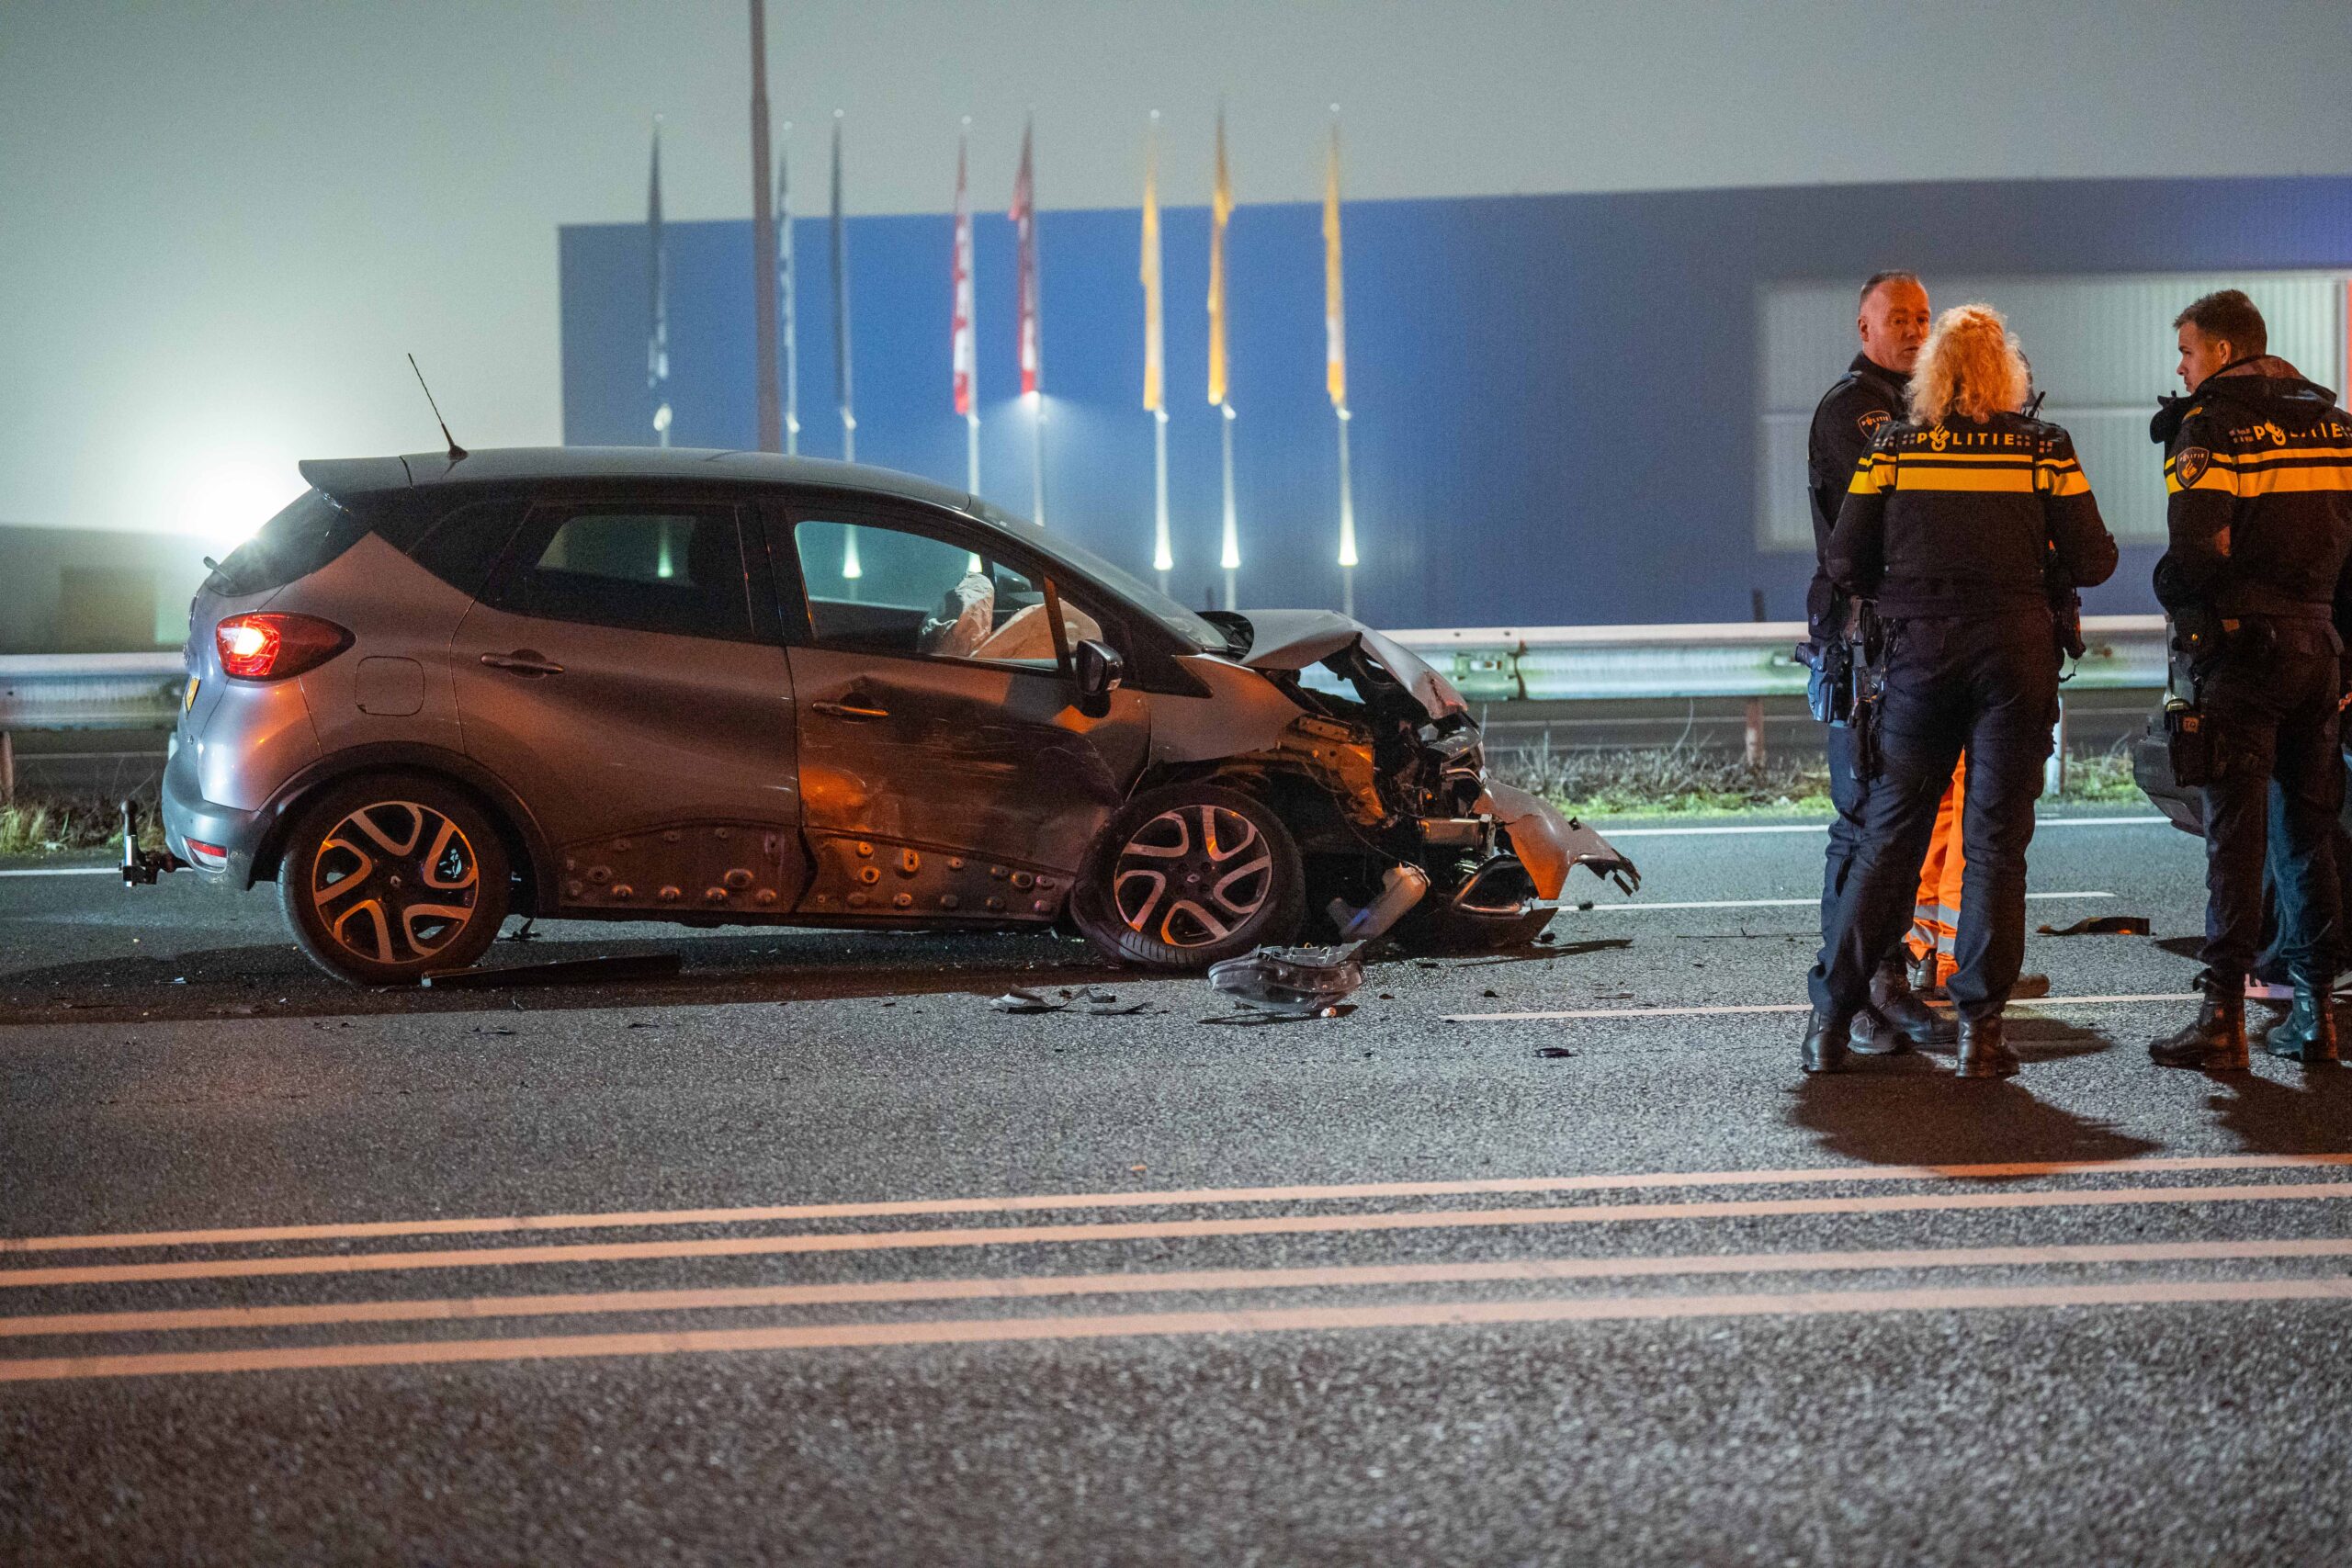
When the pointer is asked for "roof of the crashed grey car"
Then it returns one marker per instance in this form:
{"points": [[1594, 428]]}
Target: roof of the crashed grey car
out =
{"points": [[347, 478]]}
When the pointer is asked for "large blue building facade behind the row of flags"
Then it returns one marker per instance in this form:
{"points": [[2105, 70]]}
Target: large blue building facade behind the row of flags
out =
{"points": [[1556, 396]]}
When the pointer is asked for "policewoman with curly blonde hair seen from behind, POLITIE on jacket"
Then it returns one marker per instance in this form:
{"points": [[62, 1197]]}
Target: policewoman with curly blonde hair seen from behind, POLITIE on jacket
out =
{"points": [[1958, 523]]}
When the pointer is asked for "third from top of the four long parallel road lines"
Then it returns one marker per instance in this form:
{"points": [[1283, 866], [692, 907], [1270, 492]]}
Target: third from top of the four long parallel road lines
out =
{"points": [[1165, 1282]]}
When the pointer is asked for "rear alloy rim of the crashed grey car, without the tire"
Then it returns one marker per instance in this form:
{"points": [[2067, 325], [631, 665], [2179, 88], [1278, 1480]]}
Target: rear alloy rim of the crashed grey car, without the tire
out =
{"points": [[394, 883]]}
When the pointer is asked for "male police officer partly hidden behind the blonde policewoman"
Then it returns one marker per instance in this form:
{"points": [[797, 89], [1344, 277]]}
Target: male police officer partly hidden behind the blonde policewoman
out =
{"points": [[1892, 323]]}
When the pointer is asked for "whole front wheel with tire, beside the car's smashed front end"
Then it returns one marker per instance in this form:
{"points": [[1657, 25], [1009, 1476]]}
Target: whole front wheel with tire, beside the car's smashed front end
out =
{"points": [[1189, 876]]}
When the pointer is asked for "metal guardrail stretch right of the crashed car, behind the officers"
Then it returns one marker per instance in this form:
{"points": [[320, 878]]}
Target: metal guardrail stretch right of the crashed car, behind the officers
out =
{"points": [[1565, 664]]}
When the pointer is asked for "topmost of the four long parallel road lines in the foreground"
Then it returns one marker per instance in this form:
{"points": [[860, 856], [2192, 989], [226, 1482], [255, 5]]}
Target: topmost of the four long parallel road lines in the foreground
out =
{"points": [[1170, 1198]]}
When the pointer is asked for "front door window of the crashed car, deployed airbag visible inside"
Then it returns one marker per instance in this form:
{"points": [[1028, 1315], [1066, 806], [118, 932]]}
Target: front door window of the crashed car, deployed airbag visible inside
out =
{"points": [[890, 591]]}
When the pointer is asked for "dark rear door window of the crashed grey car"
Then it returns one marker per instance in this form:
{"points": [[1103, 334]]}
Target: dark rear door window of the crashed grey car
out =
{"points": [[650, 570]]}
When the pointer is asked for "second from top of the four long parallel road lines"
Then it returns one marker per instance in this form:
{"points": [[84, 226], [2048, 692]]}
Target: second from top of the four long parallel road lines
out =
{"points": [[1156, 1231]]}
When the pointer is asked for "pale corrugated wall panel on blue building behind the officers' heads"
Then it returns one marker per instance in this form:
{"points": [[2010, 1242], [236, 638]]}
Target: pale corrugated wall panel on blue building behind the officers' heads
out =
{"points": [[2102, 349]]}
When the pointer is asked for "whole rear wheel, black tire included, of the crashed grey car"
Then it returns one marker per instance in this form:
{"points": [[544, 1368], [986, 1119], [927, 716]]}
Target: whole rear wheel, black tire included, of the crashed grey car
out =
{"points": [[392, 878]]}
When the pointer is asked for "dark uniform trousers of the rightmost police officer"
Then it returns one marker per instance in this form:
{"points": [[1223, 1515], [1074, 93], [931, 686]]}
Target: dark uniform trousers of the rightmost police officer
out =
{"points": [[2276, 793]]}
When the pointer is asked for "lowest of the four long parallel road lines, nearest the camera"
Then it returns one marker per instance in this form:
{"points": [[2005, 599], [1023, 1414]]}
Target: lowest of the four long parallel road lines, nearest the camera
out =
{"points": [[1177, 1325]]}
